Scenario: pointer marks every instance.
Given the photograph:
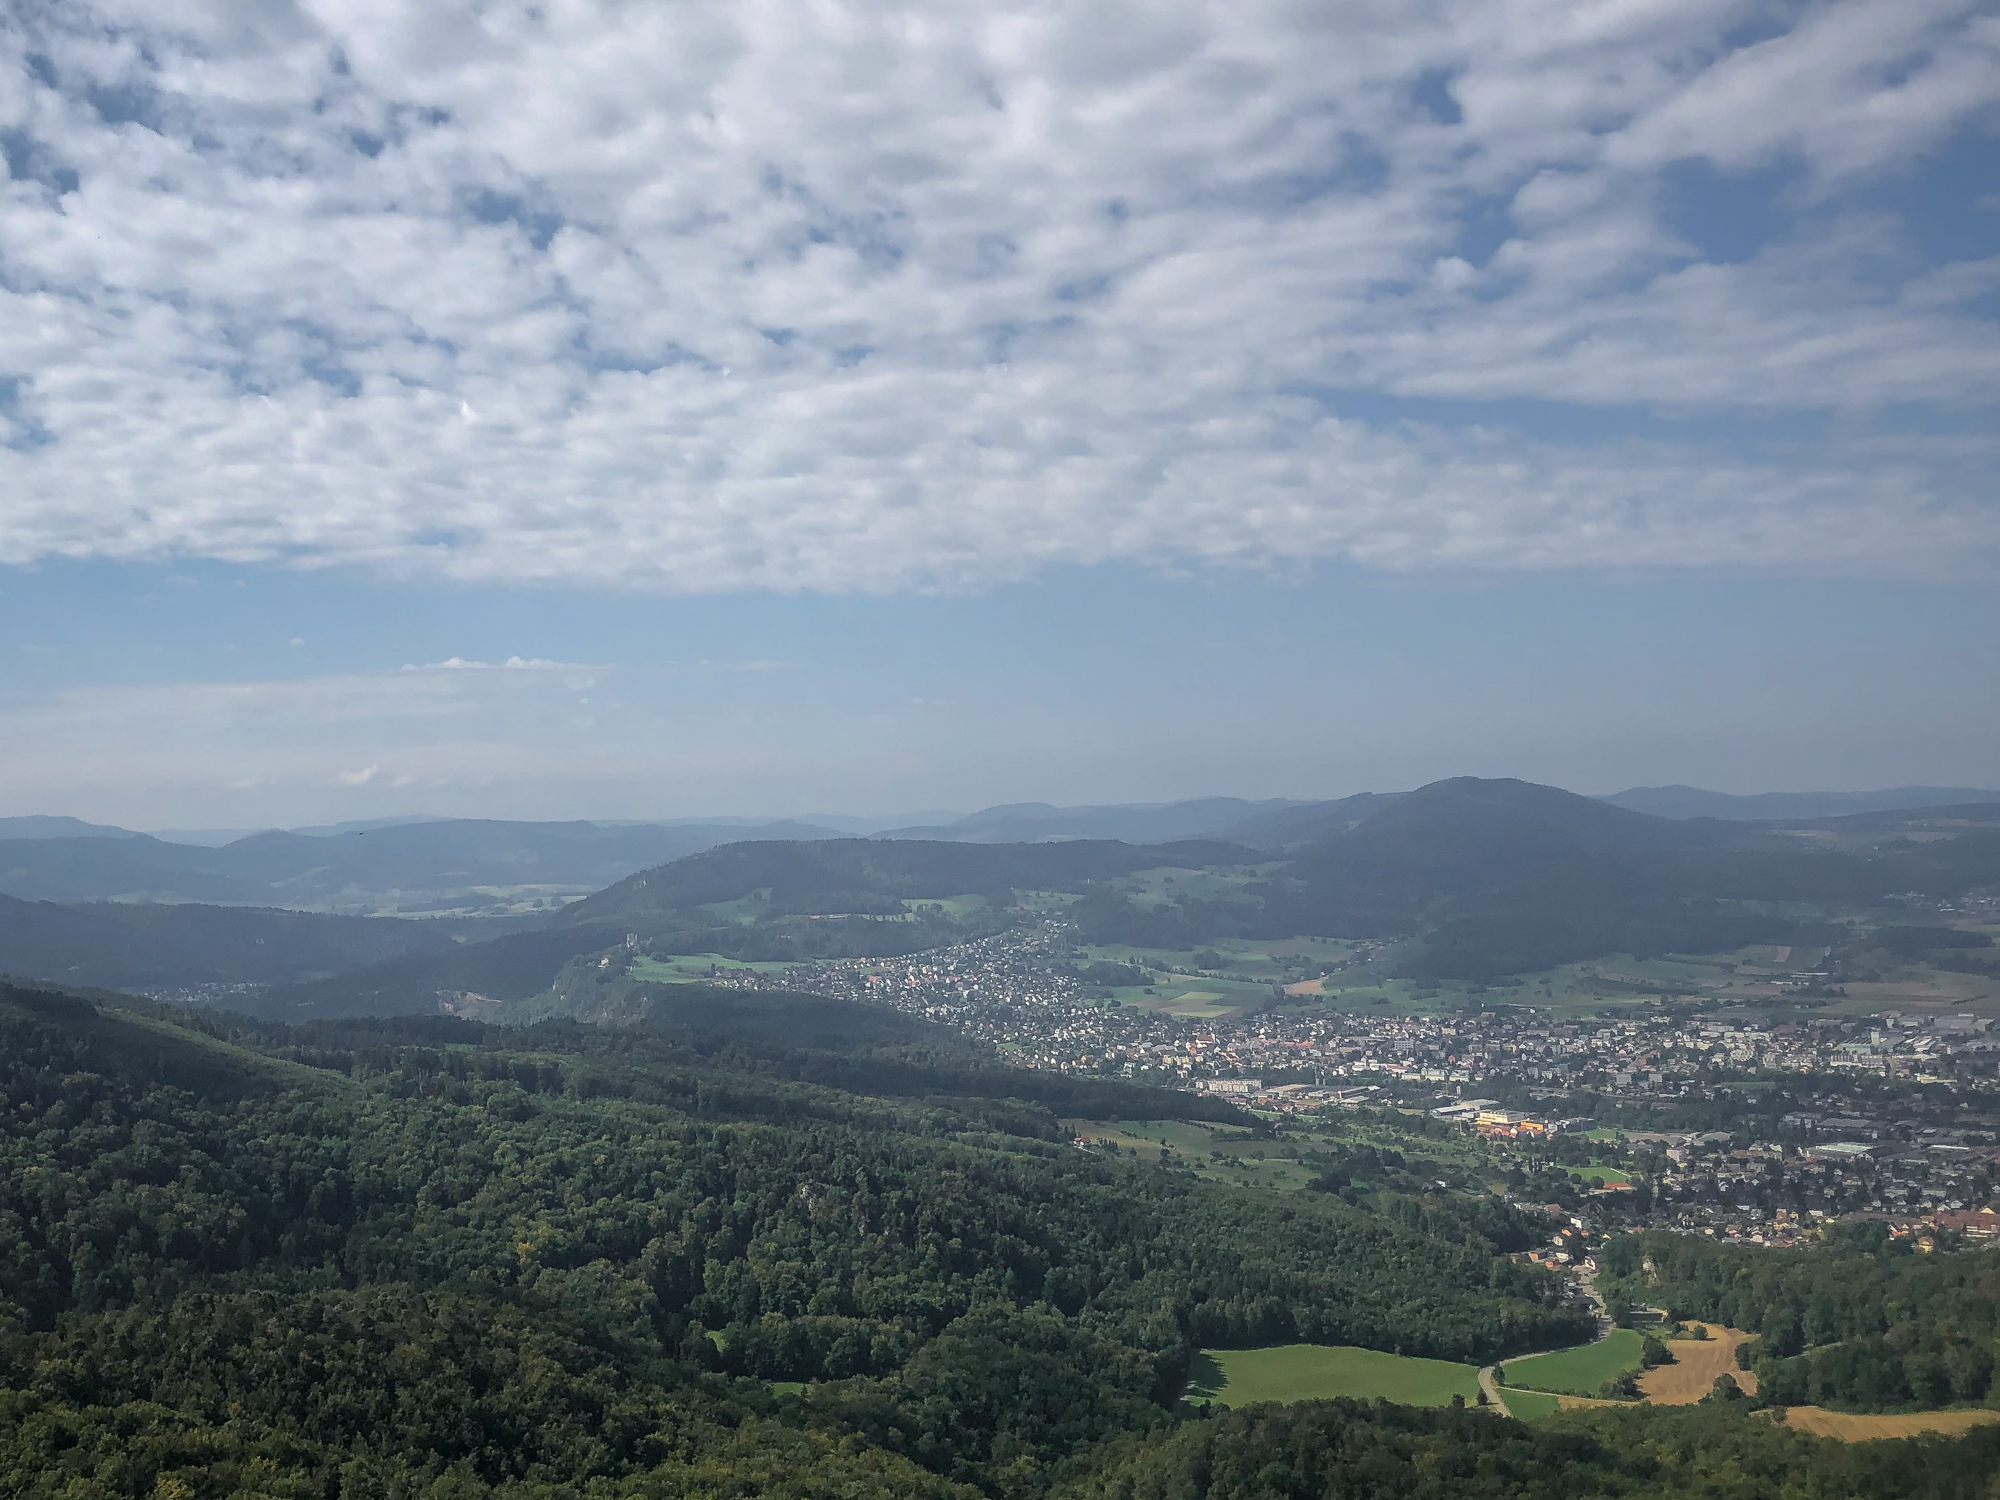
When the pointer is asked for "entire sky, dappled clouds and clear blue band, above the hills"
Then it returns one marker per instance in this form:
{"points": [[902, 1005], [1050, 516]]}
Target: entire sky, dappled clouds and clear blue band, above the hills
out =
{"points": [[639, 411]]}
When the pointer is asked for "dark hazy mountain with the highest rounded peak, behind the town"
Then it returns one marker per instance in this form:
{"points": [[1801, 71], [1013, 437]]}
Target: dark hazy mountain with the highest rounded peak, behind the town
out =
{"points": [[1503, 877]]}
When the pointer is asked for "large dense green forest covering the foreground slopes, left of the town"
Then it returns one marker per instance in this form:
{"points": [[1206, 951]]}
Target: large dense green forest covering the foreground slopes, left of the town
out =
{"points": [[425, 1257]]}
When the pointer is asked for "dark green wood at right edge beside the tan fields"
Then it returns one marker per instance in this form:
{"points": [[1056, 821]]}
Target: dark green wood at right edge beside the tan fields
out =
{"points": [[1861, 1323]]}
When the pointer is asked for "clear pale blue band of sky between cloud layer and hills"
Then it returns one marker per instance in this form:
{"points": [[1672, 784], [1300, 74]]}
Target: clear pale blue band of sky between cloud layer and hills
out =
{"points": [[177, 697]]}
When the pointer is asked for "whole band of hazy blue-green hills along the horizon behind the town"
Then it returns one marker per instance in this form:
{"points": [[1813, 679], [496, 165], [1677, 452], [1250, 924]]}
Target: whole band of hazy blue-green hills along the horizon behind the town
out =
{"points": [[1471, 879]]}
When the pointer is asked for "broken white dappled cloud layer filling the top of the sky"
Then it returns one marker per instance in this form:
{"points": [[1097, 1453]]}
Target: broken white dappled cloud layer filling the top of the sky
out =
{"points": [[871, 297]]}
